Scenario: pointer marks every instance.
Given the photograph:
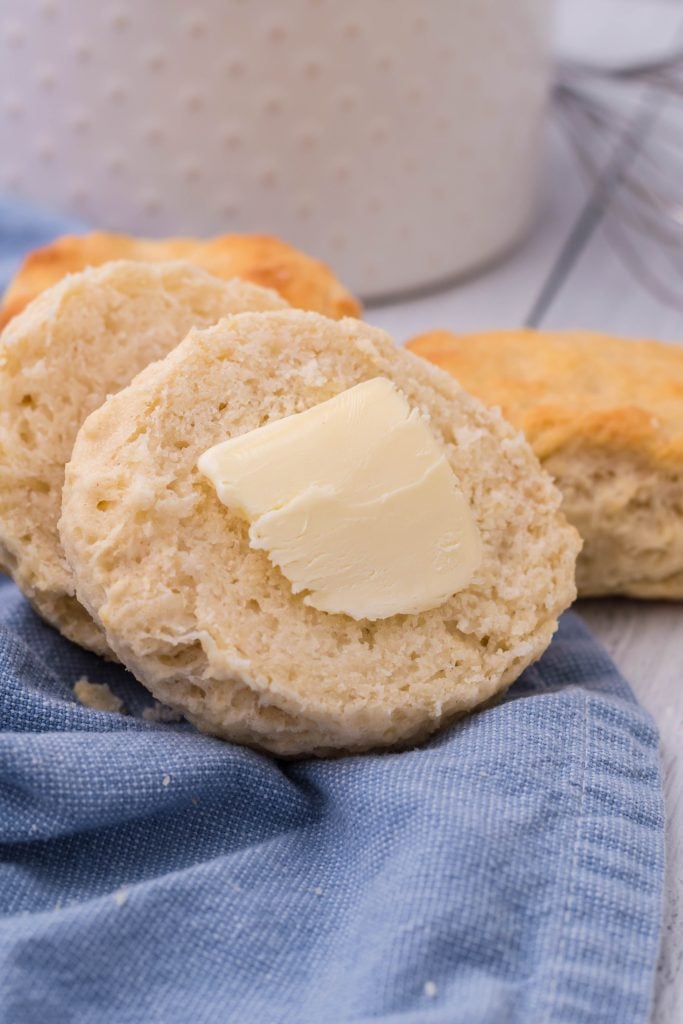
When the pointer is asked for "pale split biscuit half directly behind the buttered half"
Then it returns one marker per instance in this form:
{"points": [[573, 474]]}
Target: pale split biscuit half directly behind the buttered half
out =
{"points": [[72, 347]]}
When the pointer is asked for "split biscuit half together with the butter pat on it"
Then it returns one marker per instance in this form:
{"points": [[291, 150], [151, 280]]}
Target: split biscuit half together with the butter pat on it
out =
{"points": [[312, 542]]}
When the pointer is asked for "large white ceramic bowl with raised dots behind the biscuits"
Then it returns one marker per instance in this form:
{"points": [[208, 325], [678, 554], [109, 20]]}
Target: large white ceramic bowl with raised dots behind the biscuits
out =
{"points": [[398, 140]]}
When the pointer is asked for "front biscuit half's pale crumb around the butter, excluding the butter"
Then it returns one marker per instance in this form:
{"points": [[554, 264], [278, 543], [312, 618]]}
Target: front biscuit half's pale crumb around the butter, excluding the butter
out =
{"points": [[214, 628]]}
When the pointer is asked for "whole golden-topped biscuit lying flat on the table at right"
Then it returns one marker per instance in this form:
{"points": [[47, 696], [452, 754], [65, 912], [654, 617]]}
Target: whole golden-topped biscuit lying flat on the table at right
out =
{"points": [[606, 417]]}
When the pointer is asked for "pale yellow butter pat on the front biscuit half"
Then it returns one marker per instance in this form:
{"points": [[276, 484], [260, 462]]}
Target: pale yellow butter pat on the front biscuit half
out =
{"points": [[355, 502]]}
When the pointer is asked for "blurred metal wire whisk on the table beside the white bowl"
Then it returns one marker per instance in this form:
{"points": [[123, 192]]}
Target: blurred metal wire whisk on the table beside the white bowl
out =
{"points": [[638, 190]]}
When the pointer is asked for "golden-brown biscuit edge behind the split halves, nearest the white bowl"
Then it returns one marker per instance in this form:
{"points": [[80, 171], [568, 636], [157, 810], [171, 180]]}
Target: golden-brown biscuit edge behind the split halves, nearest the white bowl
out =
{"points": [[303, 281]]}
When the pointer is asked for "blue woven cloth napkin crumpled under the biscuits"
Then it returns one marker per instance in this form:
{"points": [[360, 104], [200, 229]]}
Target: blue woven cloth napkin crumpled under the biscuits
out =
{"points": [[508, 873]]}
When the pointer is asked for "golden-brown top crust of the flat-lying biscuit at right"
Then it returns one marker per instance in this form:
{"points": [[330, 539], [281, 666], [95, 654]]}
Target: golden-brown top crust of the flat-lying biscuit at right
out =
{"points": [[568, 388]]}
